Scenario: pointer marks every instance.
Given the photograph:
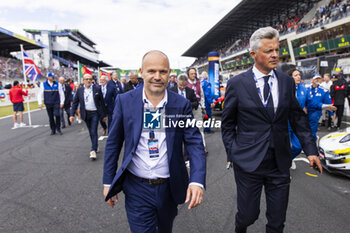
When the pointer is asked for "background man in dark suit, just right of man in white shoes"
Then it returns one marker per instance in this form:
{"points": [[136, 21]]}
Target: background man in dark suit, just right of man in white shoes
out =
{"points": [[109, 93]]}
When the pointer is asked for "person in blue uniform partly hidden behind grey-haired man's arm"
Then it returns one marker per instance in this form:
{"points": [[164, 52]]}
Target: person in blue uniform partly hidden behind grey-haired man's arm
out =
{"points": [[301, 94]]}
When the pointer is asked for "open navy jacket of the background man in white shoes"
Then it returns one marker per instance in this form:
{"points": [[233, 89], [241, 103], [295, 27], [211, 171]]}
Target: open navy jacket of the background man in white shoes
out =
{"points": [[98, 99]]}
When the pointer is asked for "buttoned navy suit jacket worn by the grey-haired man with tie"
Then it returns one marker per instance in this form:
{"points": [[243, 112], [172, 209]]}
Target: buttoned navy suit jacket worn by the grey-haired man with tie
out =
{"points": [[247, 127]]}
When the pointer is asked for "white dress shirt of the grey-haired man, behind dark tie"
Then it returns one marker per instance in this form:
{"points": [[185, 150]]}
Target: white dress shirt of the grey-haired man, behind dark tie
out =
{"points": [[273, 82]]}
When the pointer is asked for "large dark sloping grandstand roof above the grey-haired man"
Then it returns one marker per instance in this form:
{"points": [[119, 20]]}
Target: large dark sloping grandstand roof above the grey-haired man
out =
{"points": [[242, 21]]}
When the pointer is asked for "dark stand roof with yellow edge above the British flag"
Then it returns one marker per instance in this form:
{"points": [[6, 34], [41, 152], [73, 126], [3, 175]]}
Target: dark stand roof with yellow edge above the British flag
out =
{"points": [[10, 42]]}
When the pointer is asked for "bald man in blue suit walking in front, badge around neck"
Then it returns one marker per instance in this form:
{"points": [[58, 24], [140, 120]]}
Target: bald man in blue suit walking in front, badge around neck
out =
{"points": [[153, 175]]}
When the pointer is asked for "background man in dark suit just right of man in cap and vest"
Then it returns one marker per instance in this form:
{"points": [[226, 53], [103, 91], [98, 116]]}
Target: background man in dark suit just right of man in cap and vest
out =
{"points": [[68, 98]]}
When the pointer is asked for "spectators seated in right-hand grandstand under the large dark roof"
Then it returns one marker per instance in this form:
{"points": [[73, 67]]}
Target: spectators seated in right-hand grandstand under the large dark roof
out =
{"points": [[335, 10]]}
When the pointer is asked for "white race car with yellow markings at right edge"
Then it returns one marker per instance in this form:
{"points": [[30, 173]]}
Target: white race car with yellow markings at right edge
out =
{"points": [[335, 152]]}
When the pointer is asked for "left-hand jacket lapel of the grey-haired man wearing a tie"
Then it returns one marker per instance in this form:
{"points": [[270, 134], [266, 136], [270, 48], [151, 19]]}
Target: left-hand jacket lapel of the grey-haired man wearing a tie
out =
{"points": [[250, 85]]}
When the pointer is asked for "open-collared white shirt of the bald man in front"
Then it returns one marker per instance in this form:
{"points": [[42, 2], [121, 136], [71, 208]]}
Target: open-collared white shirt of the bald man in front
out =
{"points": [[141, 164]]}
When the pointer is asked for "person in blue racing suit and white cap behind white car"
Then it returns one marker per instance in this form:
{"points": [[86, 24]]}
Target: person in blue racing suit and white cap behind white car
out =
{"points": [[318, 98]]}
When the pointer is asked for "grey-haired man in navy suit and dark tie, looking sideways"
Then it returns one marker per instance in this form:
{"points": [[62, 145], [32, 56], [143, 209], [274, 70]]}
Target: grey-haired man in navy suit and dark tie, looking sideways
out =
{"points": [[258, 105]]}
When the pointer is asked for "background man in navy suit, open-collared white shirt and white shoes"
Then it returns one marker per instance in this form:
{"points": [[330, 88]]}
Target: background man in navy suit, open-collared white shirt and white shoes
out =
{"points": [[92, 108]]}
